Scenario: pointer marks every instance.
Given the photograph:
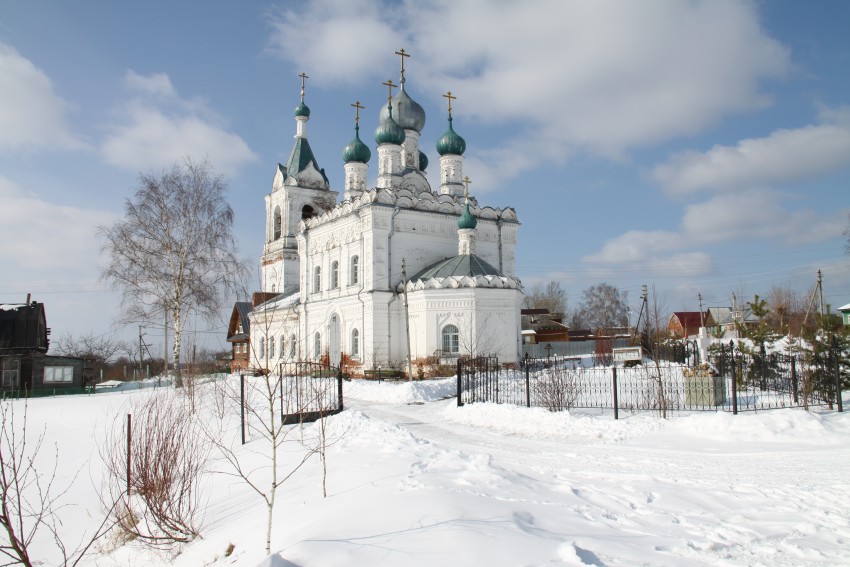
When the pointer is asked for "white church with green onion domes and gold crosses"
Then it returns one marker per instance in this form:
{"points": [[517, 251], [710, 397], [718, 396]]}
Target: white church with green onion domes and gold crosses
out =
{"points": [[394, 271]]}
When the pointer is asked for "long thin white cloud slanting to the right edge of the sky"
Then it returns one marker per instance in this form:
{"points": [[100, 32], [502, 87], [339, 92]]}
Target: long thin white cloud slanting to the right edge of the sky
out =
{"points": [[785, 156]]}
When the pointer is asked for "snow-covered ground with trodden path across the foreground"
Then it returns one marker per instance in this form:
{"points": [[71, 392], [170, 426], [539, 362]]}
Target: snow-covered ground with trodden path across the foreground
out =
{"points": [[415, 480]]}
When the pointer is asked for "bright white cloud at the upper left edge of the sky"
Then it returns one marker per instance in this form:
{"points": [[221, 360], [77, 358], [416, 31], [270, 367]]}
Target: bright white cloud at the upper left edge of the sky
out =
{"points": [[32, 115]]}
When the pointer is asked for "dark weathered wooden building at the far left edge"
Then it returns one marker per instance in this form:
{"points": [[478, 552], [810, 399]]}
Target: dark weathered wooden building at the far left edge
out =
{"points": [[24, 362]]}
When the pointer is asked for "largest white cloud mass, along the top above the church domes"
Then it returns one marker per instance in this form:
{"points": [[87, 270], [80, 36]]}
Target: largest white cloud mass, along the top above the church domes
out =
{"points": [[600, 76]]}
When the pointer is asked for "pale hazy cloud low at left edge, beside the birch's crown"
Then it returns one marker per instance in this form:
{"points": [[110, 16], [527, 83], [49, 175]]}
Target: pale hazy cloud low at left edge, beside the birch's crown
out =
{"points": [[38, 237]]}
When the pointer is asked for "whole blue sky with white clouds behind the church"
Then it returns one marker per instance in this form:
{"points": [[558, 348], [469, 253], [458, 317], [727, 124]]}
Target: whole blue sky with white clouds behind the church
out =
{"points": [[697, 147]]}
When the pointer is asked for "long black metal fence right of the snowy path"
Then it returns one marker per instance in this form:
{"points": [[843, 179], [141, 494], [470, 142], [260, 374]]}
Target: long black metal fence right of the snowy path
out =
{"points": [[737, 382]]}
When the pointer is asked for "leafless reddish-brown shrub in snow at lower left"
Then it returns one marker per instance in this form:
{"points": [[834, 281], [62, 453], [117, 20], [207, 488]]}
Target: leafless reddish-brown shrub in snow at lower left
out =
{"points": [[167, 455]]}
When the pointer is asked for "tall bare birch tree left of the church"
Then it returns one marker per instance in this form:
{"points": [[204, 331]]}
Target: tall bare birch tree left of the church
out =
{"points": [[174, 251]]}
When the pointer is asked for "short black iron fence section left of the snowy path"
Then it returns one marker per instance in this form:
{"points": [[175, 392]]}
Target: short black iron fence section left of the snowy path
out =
{"points": [[309, 391]]}
